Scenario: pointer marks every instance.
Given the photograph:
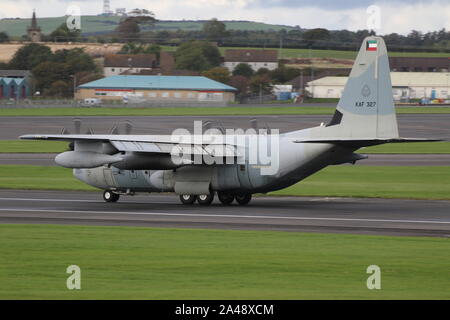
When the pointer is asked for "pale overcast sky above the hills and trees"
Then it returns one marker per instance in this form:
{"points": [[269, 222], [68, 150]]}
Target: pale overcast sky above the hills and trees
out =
{"points": [[399, 16]]}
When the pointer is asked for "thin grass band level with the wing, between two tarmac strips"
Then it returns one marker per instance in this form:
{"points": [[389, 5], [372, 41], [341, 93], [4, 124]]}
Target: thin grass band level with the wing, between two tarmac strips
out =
{"points": [[30, 146]]}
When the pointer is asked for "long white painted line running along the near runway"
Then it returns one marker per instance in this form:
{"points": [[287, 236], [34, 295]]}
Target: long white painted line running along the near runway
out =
{"points": [[223, 216]]}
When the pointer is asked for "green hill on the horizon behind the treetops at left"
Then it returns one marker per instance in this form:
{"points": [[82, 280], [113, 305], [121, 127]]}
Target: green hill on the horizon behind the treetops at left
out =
{"points": [[102, 24]]}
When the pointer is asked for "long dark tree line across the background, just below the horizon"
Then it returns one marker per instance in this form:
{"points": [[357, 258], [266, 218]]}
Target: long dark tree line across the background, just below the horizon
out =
{"points": [[139, 27]]}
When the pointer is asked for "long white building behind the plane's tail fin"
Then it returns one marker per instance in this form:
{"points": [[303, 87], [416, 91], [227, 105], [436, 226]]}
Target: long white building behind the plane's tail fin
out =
{"points": [[412, 85]]}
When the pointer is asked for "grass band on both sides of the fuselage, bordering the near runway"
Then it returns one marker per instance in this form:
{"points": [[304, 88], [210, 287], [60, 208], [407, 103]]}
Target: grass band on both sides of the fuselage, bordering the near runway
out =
{"points": [[343, 181]]}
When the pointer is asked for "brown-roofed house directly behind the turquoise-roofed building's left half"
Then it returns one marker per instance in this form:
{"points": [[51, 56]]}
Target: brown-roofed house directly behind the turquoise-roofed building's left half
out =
{"points": [[116, 64]]}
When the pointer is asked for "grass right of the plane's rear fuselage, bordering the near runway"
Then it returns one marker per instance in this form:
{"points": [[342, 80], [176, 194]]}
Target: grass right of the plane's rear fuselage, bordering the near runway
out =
{"points": [[375, 182]]}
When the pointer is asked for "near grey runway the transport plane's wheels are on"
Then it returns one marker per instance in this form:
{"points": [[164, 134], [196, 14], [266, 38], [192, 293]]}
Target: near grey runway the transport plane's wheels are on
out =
{"points": [[335, 215]]}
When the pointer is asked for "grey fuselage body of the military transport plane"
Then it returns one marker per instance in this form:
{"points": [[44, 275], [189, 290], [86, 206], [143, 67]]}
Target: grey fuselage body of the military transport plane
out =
{"points": [[296, 162]]}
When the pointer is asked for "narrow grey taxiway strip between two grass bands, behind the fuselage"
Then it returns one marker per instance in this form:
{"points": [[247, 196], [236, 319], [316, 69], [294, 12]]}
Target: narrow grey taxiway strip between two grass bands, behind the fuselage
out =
{"points": [[47, 159]]}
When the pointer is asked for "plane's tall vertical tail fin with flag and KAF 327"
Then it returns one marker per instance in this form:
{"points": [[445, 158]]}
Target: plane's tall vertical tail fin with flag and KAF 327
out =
{"points": [[366, 108]]}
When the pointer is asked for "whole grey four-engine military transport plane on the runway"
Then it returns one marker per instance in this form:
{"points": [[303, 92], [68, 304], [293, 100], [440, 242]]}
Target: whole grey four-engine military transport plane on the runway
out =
{"points": [[198, 166]]}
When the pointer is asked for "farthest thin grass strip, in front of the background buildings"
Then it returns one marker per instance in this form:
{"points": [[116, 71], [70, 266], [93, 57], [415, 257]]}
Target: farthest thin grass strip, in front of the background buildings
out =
{"points": [[197, 111]]}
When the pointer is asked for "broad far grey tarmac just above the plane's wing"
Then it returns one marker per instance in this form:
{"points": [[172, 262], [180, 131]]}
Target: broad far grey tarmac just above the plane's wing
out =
{"points": [[410, 125]]}
